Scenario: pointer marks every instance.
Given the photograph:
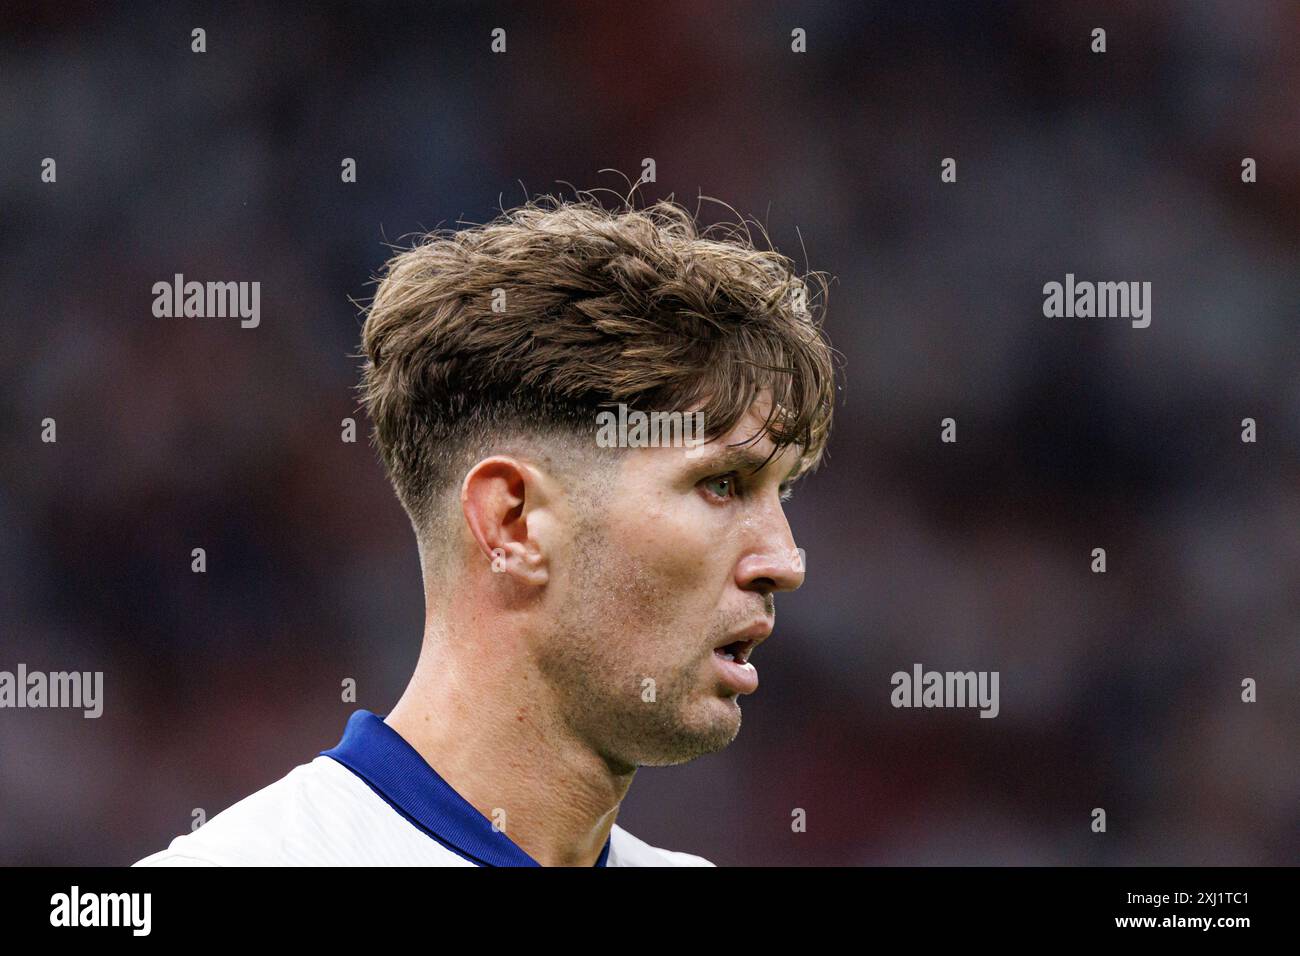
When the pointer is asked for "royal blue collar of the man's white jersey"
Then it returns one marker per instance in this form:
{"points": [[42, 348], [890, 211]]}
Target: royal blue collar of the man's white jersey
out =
{"points": [[393, 769]]}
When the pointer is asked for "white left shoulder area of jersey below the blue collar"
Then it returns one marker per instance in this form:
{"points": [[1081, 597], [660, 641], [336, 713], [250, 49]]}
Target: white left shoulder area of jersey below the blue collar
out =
{"points": [[319, 815]]}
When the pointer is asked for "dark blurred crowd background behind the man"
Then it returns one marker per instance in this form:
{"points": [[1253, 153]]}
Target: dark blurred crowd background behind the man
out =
{"points": [[1120, 691]]}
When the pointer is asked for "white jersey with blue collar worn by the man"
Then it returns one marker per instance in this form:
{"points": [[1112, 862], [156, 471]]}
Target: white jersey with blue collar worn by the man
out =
{"points": [[371, 802]]}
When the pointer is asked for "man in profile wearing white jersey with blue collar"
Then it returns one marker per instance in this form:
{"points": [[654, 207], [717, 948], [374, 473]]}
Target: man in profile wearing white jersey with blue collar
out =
{"points": [[592, 605]]}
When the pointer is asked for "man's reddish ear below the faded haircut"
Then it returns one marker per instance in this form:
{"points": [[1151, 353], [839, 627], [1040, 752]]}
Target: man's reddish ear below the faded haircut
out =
{"points": [[499, 499]]}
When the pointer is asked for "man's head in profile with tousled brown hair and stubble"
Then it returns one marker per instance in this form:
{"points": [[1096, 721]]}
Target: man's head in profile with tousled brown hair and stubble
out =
{"points": [[492, 354]]}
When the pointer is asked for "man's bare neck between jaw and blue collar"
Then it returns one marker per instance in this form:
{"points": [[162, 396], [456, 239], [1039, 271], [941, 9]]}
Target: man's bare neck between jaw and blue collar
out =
{"points": [[488, 724]]}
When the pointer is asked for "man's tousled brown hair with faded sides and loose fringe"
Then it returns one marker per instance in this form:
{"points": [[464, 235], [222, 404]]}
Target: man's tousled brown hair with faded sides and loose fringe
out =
{"points": [[603, 308]]}
